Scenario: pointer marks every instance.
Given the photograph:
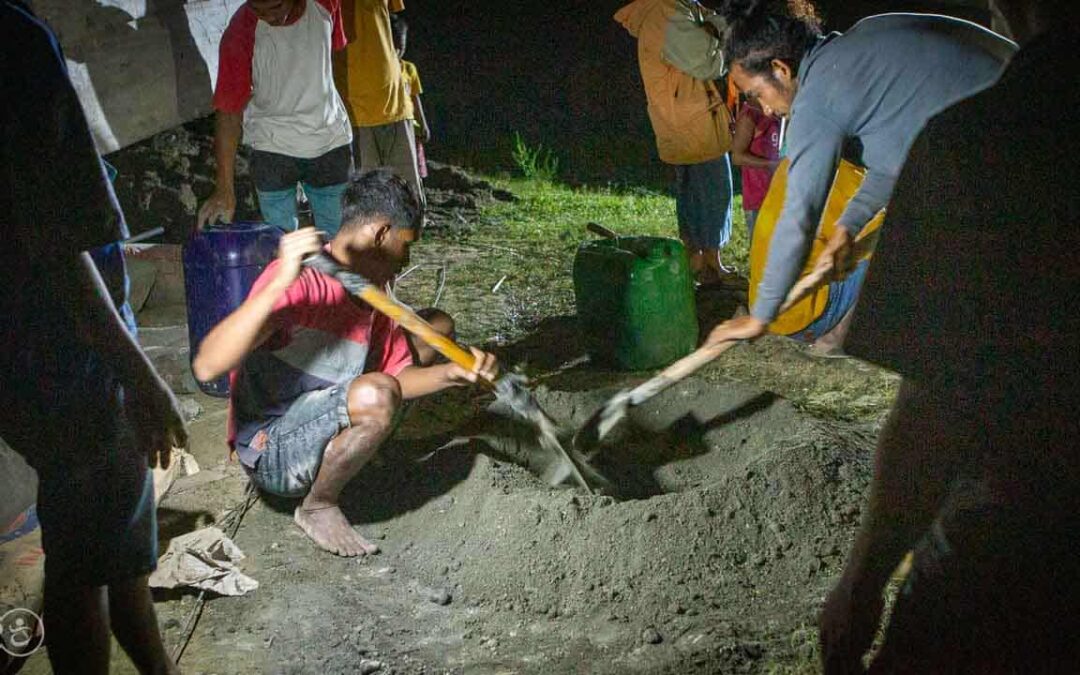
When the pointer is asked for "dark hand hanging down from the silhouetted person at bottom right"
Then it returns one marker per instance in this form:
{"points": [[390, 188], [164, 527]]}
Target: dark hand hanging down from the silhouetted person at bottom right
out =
{"points": [[848, 624]]}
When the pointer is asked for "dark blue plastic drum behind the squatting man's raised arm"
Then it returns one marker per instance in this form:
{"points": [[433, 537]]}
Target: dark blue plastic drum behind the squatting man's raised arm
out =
{"points": [[221, 265]]}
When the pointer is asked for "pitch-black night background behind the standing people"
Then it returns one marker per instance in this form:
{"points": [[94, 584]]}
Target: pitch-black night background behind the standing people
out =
{"points": [[562, 74]]}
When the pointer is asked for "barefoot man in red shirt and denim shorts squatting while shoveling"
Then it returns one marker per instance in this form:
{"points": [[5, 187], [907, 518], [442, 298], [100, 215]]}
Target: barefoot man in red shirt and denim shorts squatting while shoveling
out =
{"points": [[317, 375]]}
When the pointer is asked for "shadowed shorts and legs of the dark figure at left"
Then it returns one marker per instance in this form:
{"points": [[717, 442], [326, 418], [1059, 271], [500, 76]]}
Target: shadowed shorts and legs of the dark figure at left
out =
{"points": [[100, 535]]}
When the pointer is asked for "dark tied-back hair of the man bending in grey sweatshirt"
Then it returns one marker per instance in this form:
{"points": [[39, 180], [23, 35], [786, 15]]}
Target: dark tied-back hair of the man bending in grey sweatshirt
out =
{"points": [[761, 32]]}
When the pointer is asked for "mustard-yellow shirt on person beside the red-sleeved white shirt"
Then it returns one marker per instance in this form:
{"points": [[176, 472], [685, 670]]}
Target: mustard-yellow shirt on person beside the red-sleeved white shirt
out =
{"points": [[368, 73]]}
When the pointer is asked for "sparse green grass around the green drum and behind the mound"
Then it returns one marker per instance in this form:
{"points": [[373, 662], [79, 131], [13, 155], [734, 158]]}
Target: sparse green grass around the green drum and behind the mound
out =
{"points": [[514, 268]]}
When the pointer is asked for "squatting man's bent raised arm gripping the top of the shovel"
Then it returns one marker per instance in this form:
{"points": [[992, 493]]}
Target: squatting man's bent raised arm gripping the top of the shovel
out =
{"points": [[226, 347]]}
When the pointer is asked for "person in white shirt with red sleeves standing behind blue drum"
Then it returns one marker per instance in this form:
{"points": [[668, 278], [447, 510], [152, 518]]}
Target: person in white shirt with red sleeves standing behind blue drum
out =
{"points": [[276, 91]]}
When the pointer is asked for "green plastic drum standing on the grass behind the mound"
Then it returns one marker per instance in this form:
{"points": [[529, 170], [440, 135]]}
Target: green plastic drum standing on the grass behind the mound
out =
{"points": [[636, 302]]}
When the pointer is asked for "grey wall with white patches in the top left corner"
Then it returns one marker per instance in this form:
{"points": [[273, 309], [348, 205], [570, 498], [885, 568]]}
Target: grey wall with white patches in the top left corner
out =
{"points": [[141, 66]]}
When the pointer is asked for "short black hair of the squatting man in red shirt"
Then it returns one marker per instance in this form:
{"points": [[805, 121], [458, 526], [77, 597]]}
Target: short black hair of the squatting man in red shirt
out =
{"points": [[381, 194]]}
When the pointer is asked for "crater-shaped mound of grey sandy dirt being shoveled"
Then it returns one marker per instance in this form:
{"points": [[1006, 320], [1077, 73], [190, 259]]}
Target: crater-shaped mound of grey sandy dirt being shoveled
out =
{"points": [[749, 504]]}
